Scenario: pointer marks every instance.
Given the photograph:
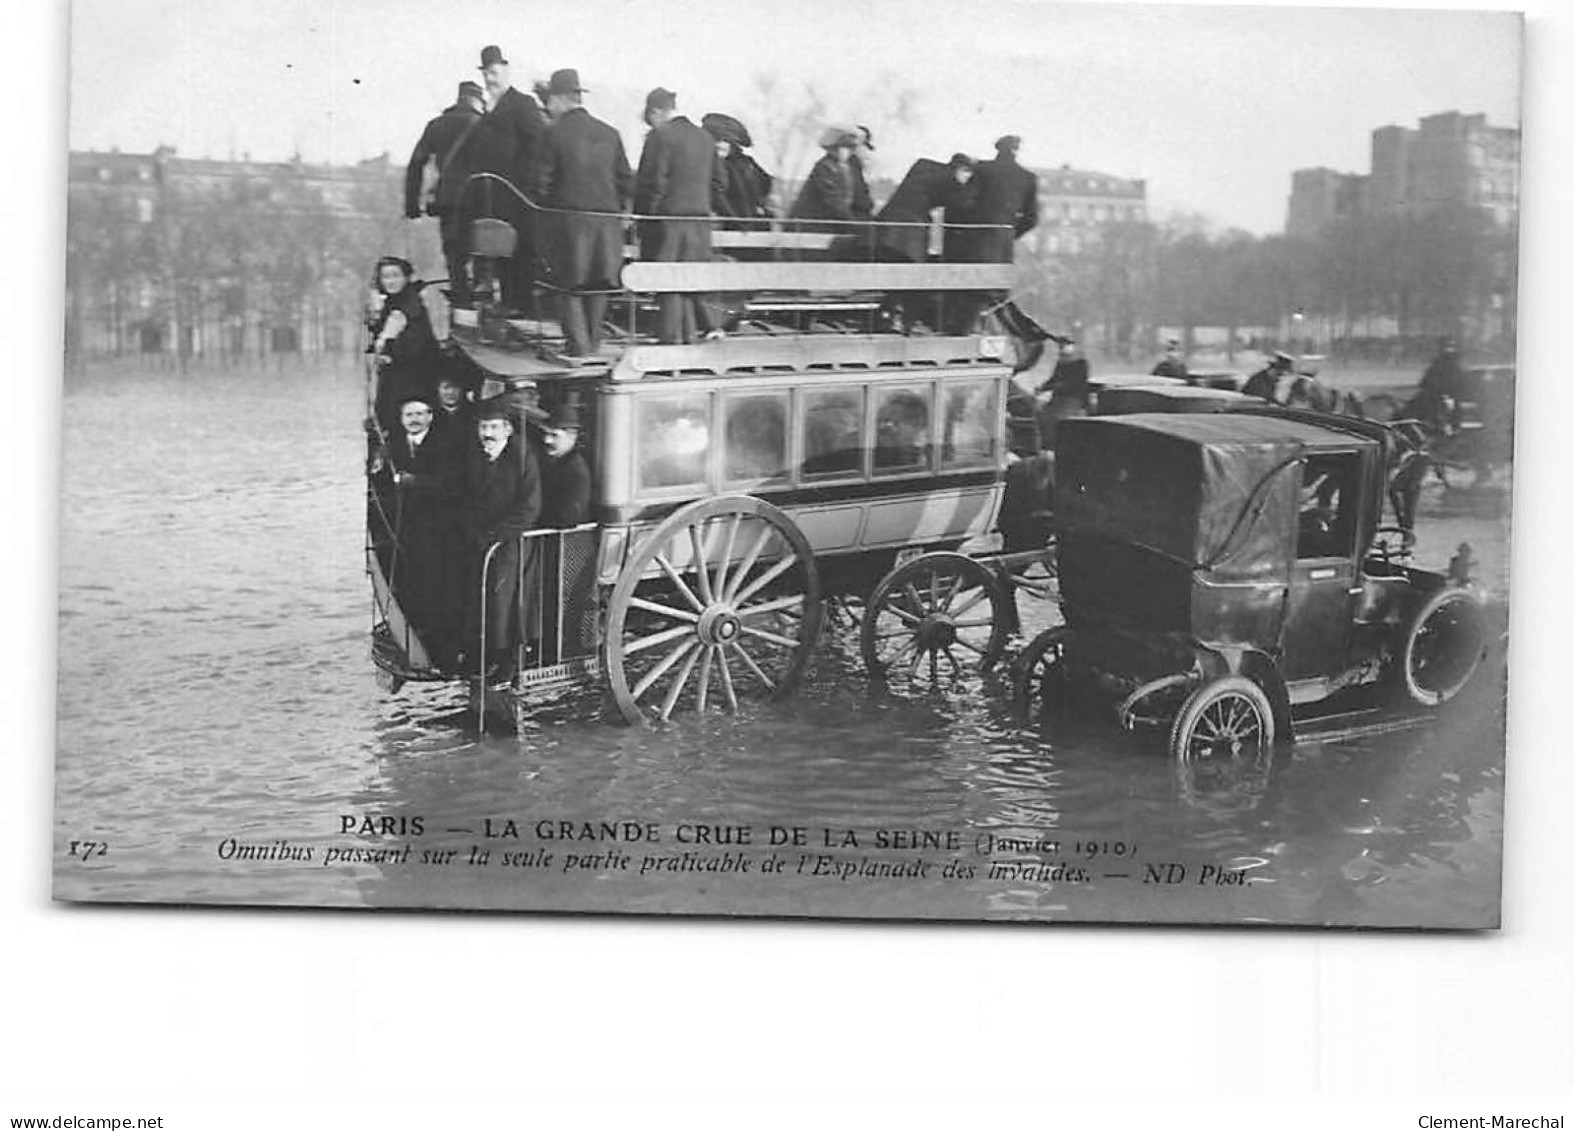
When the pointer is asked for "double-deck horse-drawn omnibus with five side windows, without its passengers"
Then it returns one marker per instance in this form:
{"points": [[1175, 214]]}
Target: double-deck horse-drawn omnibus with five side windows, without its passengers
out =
{"points": [[745, 482]]}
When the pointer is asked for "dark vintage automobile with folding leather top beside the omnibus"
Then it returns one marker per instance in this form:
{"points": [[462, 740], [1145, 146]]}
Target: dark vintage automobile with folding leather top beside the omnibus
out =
{"points": [[1221, 572]]}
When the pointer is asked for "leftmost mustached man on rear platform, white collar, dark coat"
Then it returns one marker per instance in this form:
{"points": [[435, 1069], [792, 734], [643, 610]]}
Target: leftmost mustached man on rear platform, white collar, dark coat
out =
{"points": [[424, 465]]}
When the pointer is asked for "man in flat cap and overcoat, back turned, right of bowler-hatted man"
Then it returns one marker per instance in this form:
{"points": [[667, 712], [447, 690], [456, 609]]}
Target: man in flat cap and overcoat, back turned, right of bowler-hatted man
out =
{"points": [[679, 175]]}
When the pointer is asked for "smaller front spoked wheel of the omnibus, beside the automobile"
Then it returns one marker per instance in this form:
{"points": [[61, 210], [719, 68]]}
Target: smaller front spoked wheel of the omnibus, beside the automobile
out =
{"points": [[939, 616]]}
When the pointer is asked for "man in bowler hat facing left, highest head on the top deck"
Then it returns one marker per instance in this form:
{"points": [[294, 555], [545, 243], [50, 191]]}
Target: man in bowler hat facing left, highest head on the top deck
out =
{"points": [[514, 134]]}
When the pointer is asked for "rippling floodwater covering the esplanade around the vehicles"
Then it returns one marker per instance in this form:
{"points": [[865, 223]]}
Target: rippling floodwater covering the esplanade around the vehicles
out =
{"points": [[220, 721]]}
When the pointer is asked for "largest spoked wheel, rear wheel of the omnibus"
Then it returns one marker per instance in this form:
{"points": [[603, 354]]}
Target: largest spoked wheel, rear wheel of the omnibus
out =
{"points": [[734, 610]]}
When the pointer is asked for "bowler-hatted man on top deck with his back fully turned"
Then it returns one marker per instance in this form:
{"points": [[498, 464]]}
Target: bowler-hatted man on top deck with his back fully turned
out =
{"points": [[585, 174]]}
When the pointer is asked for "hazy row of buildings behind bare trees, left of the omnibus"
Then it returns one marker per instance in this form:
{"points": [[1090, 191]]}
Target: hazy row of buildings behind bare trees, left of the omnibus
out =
{"points": [[223, 259]]}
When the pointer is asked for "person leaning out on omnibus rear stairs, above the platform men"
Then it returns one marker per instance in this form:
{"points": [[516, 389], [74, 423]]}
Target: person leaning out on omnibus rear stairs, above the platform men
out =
{"points": [[405, 355]]}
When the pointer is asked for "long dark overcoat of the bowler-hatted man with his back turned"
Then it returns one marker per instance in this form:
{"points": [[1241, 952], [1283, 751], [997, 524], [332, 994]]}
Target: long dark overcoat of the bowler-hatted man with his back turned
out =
{"points": [[583, 168]]}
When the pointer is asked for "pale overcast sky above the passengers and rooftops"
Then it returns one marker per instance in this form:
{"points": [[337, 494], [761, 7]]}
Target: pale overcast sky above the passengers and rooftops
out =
{"points": [[1213, 106]]}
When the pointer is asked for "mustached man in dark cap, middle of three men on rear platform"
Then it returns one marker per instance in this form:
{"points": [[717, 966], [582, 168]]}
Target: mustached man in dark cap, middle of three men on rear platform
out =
{"points": [[503, 499]]}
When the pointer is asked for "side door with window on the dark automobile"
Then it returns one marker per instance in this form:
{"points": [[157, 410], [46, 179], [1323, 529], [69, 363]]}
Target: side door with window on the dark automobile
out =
{"points": [[1323, 583]]}
